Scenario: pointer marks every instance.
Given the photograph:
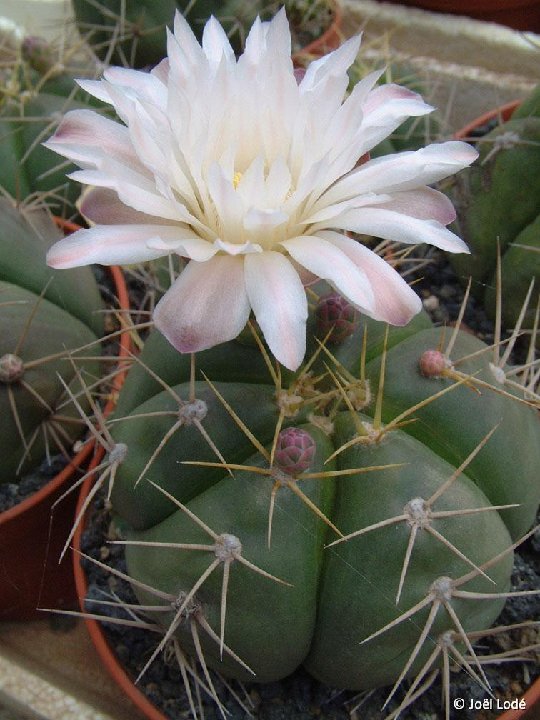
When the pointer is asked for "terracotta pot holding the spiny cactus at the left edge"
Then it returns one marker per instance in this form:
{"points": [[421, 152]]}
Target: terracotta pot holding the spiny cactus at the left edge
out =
{"points": [[32, 534]]}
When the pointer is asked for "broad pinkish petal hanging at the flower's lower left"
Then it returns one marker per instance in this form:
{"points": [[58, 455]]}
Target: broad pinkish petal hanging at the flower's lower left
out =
{"points": [[206, 306]]}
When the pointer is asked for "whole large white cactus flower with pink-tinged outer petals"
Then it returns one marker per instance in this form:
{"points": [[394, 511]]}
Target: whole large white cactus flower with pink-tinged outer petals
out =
{"points": [[254, 177]]}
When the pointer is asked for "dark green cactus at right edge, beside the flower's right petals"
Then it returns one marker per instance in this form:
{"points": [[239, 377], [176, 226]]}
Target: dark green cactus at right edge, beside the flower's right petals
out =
{"points": [[498, 204]]}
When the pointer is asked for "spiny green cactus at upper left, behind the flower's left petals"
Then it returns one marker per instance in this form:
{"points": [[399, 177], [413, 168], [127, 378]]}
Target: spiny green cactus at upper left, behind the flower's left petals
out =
{"points": [[37, 89]]}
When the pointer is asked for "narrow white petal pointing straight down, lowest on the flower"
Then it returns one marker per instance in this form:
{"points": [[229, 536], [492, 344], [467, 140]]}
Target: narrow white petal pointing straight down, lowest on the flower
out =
{"points": [[279, 302]]}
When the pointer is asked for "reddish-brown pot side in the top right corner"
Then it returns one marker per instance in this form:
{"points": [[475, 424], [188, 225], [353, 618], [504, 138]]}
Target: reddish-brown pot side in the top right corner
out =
{"points": [[517, 14]]}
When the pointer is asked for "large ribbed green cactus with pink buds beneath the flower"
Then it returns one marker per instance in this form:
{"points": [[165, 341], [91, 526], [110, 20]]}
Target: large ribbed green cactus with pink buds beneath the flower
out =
{"points": [[344, 518]]}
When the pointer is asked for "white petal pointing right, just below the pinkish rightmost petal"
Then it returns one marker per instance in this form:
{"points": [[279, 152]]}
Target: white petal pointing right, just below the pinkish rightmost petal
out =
{"points": [[399, 227]]}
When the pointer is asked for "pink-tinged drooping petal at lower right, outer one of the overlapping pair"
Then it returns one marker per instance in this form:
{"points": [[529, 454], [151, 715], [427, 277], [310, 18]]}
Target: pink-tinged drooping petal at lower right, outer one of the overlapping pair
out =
{"points": [[395, 302]]}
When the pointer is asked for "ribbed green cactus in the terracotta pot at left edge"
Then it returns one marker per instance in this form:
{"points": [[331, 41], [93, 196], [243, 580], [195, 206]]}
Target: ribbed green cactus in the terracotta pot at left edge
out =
{"points": [[43, 317]]}
